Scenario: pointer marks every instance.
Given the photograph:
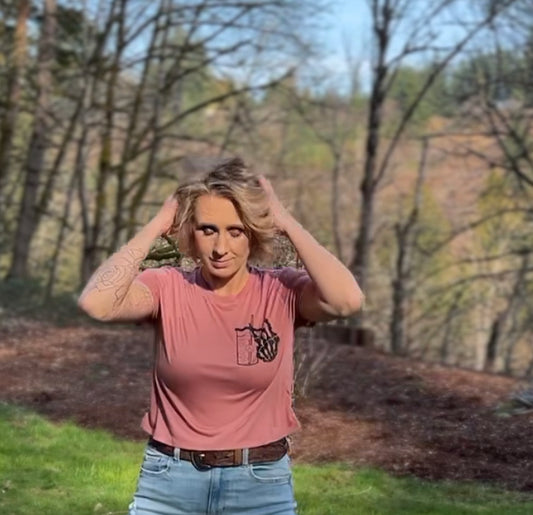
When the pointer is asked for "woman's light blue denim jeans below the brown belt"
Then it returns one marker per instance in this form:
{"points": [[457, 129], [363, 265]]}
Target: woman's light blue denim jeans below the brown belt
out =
{"points": [[170, 486]]}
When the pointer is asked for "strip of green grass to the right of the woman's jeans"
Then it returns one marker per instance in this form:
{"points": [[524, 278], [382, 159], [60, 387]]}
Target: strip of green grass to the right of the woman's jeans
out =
{"points": [[337, 489]]}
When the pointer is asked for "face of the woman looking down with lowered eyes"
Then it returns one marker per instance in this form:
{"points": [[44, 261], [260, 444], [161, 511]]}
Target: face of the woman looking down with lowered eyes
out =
{"points": [[220, 239]]}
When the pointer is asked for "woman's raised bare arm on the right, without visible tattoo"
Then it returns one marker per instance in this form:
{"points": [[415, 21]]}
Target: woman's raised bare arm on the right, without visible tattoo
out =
{"points": [[333, 291]]}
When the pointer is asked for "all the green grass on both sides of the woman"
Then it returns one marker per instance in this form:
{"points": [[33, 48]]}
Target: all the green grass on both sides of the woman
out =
{"points": [[62, 469]]}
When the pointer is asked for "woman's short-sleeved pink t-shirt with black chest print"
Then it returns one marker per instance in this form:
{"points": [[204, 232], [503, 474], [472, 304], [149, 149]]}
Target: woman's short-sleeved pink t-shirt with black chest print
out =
{"points": [[223, 372]]}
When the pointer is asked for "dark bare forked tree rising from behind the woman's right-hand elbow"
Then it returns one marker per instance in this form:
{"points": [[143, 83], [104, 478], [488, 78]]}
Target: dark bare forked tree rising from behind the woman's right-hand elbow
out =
{"points": [[388, 18]]}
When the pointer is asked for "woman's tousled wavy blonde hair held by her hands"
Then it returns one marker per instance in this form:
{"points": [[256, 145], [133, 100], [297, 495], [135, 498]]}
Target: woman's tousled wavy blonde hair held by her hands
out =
{"points": [[233, 180]]}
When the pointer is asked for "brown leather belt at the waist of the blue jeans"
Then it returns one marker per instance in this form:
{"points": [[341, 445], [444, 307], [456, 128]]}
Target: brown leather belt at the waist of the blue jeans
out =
{"points": [[204, 460]]}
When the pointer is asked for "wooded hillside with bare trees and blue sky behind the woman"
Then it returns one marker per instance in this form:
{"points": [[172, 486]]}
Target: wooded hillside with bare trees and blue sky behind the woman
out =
{"points": [[419, 179]]}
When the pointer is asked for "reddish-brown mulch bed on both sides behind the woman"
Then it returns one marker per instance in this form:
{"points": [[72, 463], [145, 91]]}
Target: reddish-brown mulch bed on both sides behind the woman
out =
{"points": [[368, 408]]}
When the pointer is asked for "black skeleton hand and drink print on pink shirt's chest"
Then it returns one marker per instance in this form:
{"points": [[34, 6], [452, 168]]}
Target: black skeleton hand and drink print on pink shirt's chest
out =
{"points": [[256, 343]]}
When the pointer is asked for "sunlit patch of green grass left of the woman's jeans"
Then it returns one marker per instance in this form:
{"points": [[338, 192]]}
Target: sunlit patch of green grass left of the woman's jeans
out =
{"points": [[62, 469]]}
